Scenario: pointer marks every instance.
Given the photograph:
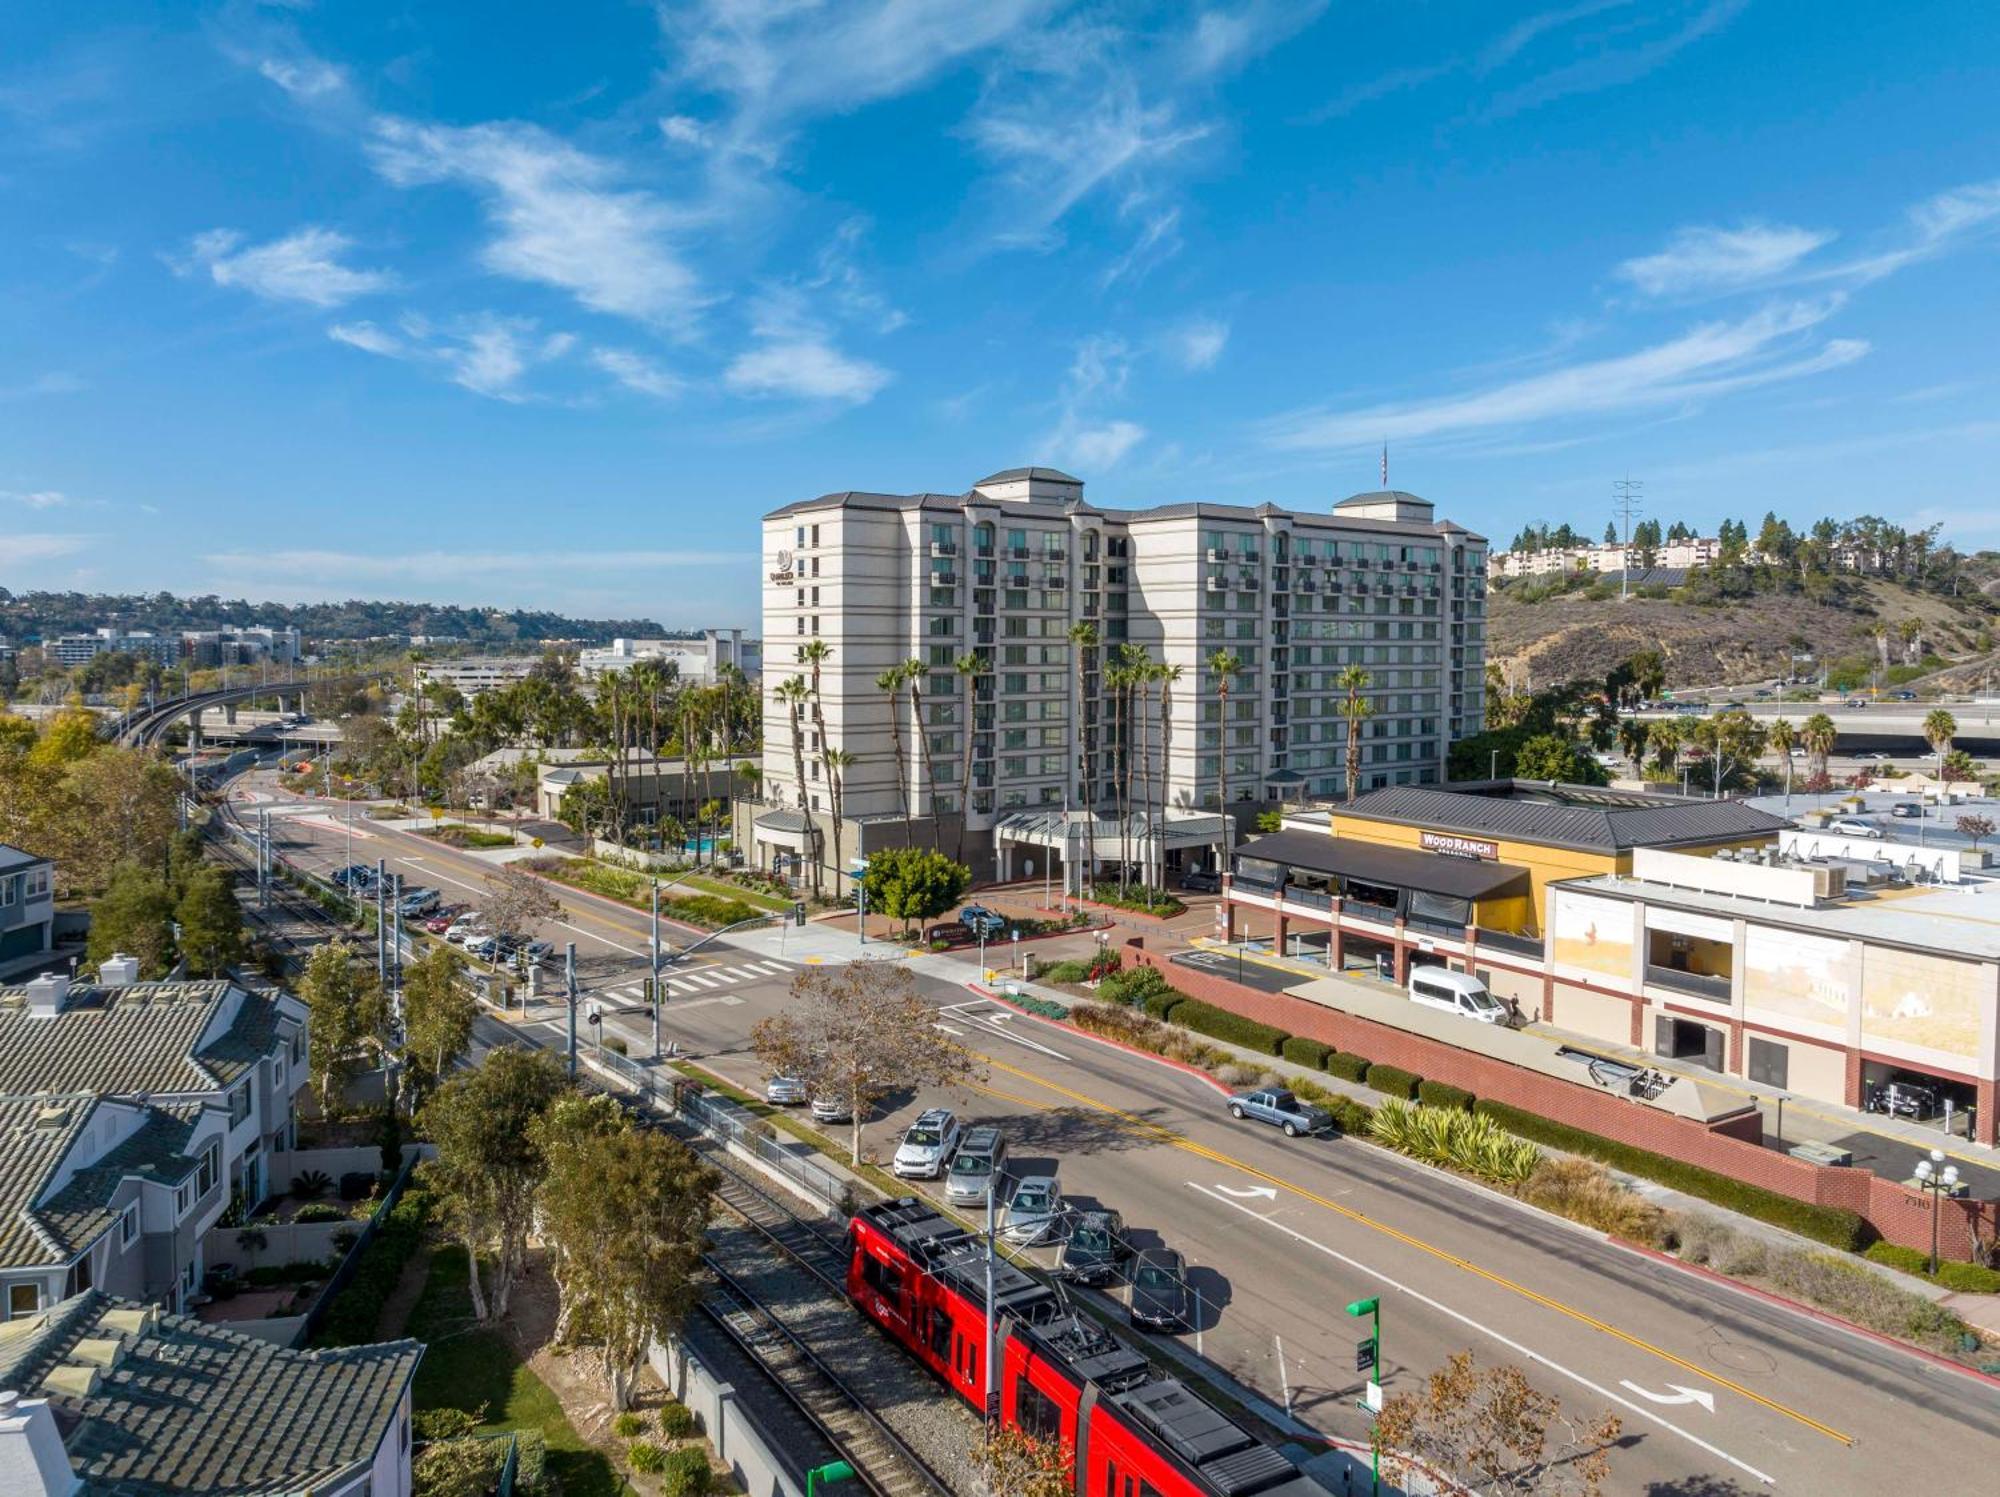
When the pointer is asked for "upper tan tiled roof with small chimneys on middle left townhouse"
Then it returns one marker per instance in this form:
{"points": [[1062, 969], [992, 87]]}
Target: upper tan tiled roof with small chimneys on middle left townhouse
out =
{"points": [[139, 1040]]}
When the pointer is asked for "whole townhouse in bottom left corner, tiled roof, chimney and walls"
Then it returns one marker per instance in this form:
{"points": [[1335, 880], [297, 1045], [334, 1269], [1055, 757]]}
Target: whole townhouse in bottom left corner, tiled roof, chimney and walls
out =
{"points": [[103, 1396]]}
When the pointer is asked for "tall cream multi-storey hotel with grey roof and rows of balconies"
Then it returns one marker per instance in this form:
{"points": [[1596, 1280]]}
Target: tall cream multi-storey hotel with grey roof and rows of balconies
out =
{"points": [[985, 591]]}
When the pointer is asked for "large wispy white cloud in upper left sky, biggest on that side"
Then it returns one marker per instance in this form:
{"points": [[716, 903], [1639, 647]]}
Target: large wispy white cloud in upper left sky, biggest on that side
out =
{"points": [[557, 213]]}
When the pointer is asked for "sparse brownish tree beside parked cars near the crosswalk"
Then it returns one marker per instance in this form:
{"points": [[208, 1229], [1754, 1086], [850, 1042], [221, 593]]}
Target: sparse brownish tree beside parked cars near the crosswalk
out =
{"points": [[857, 1034]]}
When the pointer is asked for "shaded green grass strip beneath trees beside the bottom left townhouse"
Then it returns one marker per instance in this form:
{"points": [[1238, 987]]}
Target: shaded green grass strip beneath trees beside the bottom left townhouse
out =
{"points": [[467, 1368]]}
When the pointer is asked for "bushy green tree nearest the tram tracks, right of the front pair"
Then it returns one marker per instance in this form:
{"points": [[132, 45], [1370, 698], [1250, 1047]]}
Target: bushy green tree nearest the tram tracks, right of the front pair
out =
{"points": [[625, 1214]]}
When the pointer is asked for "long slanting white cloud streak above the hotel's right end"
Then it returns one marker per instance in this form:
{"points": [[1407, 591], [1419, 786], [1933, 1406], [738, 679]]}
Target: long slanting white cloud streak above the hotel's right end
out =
{"points": [[1713, 359]]}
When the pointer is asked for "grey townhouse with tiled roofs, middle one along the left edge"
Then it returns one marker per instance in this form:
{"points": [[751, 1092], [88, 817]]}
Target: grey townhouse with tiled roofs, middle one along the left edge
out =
{"points": [[131, 1116]]}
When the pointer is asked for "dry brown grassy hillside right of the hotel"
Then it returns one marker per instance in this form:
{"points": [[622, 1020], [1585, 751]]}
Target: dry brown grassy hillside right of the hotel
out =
{"points": [[1577, 637]]}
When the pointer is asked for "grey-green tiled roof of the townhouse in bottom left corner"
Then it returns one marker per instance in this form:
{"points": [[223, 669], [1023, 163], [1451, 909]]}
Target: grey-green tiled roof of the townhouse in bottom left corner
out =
{"points": [[197, 1408]]}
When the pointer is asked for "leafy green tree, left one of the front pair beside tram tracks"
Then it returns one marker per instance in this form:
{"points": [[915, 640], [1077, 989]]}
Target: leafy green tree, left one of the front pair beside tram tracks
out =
{"points": [[489, 1170]]}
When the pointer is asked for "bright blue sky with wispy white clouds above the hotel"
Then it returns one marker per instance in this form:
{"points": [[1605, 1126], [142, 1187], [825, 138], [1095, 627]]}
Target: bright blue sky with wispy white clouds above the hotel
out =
{"points": [[545, 305]]}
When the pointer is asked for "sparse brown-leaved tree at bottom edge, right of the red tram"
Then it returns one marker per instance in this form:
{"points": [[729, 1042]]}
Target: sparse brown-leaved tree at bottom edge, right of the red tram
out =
{"points": [[1491, 1432]]}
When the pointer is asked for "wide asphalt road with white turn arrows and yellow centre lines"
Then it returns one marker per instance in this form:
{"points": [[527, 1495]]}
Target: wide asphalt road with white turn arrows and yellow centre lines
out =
{"points": [[1719, 1390]]}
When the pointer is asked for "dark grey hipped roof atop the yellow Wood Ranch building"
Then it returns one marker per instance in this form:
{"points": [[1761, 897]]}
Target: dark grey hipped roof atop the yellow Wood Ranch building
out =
{"points": [[1567, 816]]}
